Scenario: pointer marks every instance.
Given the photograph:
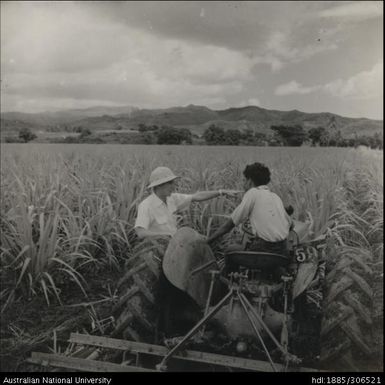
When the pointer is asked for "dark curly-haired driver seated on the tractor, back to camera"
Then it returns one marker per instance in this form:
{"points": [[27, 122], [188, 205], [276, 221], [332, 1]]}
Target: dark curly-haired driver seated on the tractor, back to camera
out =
{"points": [[269, 221]]}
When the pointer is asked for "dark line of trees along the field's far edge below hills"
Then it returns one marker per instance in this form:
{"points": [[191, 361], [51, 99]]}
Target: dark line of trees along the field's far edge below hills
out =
{"points": [[281, 135]]}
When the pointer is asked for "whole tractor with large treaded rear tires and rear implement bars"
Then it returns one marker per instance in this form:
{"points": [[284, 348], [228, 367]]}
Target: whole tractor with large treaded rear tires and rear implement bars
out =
{"points": [[185, 306]]}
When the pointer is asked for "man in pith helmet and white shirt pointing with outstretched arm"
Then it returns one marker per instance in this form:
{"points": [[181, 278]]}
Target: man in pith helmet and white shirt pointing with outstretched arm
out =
{"points": [[156, 213]]}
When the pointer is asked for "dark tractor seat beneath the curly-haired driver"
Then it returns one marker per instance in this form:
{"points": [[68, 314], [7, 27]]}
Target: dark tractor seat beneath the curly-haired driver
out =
{"points": [[257, 259]]}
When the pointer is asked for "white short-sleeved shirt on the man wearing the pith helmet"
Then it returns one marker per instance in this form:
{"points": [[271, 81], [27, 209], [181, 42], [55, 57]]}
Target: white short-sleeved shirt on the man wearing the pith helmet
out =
{"points": [[155, 215]]}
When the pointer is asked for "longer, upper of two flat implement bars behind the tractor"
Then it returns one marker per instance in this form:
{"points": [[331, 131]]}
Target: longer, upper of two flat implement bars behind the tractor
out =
{"points": [[188, 355]]}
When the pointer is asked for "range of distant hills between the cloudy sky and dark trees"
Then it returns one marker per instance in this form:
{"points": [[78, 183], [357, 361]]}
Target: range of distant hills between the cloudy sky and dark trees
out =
{"points": [[195, 118]]}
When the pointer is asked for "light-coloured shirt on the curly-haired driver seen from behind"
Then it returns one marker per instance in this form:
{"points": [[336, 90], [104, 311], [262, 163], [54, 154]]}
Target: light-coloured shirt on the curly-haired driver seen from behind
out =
{"points": [[266, 213]]}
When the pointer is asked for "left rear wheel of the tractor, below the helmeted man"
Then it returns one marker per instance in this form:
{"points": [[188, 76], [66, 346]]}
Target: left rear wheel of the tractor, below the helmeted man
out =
{"points": [[150, 308]]}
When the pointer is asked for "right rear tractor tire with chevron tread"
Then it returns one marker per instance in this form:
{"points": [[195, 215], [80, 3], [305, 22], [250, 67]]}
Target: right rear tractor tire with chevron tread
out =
{"points": [[348, 302]]}
